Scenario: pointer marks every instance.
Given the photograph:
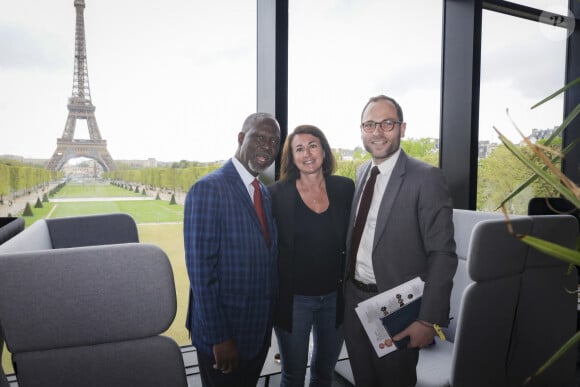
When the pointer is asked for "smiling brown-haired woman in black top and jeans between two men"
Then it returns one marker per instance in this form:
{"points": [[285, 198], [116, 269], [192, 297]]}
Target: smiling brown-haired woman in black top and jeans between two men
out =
{"points": [[311, 208]]}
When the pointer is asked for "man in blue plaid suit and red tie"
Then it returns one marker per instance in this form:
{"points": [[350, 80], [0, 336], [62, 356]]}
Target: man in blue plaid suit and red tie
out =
{"points": [[232, 262]]}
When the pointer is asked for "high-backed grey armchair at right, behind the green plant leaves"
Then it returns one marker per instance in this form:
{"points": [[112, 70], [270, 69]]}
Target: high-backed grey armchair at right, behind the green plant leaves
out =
{"points": [[510, 305]]}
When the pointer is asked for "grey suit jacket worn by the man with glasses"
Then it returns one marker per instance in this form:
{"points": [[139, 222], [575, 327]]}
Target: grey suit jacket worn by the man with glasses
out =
{"points": [[414, 233]]}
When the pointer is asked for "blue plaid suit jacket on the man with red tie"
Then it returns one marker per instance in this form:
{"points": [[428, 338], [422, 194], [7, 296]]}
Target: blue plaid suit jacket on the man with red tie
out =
{"points": [[232, 272]]}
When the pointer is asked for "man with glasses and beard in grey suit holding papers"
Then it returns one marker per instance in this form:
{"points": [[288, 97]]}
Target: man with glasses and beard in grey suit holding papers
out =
{"points": [[408, 232]]}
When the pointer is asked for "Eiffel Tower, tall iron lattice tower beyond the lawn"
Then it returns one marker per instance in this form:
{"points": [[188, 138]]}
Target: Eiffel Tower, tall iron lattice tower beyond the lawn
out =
{"points": [[80, 107]]}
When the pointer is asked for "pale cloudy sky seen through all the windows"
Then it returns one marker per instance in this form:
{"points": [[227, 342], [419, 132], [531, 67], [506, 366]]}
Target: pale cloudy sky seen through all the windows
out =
{"points": [[174, 80]]}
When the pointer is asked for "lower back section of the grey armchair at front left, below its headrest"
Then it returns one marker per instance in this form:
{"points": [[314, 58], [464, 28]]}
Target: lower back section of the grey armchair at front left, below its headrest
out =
{"points": [[153, 361]]}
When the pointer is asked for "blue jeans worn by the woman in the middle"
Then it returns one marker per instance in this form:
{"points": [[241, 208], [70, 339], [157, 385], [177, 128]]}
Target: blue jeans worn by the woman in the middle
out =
{"points": [[316, 313]]}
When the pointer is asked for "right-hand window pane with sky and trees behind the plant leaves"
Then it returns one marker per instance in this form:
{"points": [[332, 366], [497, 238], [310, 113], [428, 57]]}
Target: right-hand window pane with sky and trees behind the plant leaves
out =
{"points": [[521, 63]]}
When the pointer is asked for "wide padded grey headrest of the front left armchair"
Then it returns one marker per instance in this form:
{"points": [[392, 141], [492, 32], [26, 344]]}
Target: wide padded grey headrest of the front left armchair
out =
{"points": [[85, 295]]}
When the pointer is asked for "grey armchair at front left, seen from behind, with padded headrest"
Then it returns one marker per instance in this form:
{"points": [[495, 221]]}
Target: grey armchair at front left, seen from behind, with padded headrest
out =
{"points": [[90, 316]]}
